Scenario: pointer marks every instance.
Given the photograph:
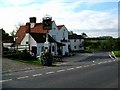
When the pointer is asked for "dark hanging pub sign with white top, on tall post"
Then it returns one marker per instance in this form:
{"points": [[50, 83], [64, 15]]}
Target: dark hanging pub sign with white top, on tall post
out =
{"points": [[47, 22]]}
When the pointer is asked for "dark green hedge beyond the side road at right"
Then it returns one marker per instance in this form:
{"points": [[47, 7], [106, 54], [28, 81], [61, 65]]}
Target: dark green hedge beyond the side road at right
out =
{"points": [[102, 45]]}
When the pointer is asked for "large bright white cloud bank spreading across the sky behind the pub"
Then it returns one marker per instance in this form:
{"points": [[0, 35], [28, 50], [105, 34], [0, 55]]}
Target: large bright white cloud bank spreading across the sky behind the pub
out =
{"points": [[62, 13]]}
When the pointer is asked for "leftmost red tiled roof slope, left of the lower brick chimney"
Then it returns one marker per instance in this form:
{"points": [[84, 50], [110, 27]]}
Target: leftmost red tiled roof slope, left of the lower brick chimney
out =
{"points": [[20, 34]]}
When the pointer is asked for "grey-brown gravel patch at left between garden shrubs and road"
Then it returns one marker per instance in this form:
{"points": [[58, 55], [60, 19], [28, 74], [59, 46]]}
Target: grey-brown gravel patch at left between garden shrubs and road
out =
{"points": [[9, 65]]}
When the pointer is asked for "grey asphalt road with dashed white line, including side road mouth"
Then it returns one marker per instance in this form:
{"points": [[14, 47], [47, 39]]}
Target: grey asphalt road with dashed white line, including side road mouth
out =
{"points": [[98, 70]]}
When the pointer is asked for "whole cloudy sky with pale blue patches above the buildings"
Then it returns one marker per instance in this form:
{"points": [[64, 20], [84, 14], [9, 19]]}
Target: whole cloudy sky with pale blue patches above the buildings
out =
{"points": [[93, 17]]}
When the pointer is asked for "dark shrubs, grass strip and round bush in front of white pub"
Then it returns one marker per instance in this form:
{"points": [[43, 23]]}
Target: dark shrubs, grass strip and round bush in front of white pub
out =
{"points": [[45, 59]]}
